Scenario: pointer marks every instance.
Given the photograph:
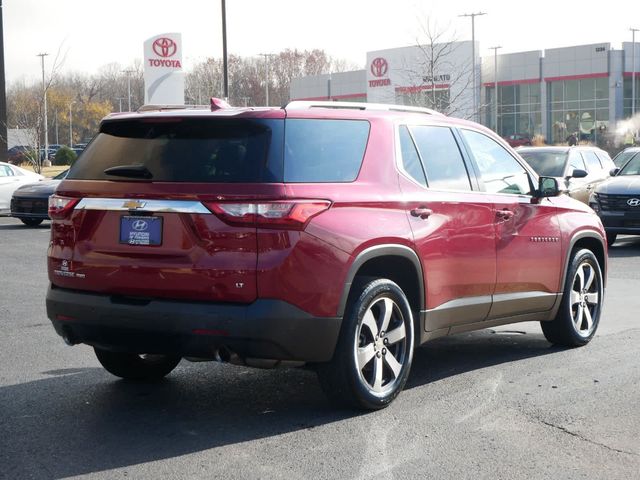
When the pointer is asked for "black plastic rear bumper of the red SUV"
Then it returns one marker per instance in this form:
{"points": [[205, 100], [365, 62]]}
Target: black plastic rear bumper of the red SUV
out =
{"points": [[271, 329]]}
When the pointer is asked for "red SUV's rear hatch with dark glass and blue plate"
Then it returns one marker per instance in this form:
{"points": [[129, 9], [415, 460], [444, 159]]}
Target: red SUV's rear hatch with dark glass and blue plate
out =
{"points": [[135, 215]]}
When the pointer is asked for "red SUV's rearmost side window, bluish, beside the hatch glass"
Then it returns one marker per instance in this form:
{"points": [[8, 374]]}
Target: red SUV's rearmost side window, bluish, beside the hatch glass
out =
{"points": [[324, 150]]}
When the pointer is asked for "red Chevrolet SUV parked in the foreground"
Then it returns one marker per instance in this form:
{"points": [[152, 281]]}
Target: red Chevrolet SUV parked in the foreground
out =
{"points": [[340, 235]]}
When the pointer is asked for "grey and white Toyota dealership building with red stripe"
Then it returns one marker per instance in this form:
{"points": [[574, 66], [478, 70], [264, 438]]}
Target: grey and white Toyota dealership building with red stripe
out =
{"points": [[584, 89]]}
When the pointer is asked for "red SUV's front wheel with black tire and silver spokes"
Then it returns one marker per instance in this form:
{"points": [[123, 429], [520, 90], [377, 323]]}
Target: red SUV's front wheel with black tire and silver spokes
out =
{"points": [[579, 314]]}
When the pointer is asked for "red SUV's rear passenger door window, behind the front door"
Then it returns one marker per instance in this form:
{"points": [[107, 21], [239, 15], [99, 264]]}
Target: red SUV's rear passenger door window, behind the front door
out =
{"points": [[441, 158]]}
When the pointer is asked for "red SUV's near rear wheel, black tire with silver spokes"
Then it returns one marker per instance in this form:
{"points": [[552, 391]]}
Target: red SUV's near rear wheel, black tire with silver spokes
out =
{"points": [[373, 356]]}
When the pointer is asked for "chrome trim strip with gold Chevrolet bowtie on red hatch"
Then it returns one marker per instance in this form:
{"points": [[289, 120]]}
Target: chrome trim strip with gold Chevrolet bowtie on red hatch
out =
{"points": [[166, 206]]}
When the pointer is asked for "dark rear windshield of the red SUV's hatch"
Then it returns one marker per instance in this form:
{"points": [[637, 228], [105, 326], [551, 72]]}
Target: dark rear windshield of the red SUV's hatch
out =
{"points": [[186, 150]]}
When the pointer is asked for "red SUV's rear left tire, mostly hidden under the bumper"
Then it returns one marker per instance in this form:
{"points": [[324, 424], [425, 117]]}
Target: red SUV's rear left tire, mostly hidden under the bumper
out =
{"points": [[133, 366]]}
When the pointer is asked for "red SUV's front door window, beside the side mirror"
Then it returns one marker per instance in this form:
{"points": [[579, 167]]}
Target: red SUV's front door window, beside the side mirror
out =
{"points": [[500, 172]]}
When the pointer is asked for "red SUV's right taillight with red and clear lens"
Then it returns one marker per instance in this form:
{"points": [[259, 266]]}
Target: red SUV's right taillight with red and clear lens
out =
{"points": [[293, 214]]}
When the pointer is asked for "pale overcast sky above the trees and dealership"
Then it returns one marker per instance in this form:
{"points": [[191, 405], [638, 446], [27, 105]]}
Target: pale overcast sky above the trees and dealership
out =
{"points": [[94, 33]]}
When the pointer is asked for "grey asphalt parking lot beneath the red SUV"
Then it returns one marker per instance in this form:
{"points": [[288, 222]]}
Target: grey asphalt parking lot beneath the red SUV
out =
{"points": [[496, 404]]}
